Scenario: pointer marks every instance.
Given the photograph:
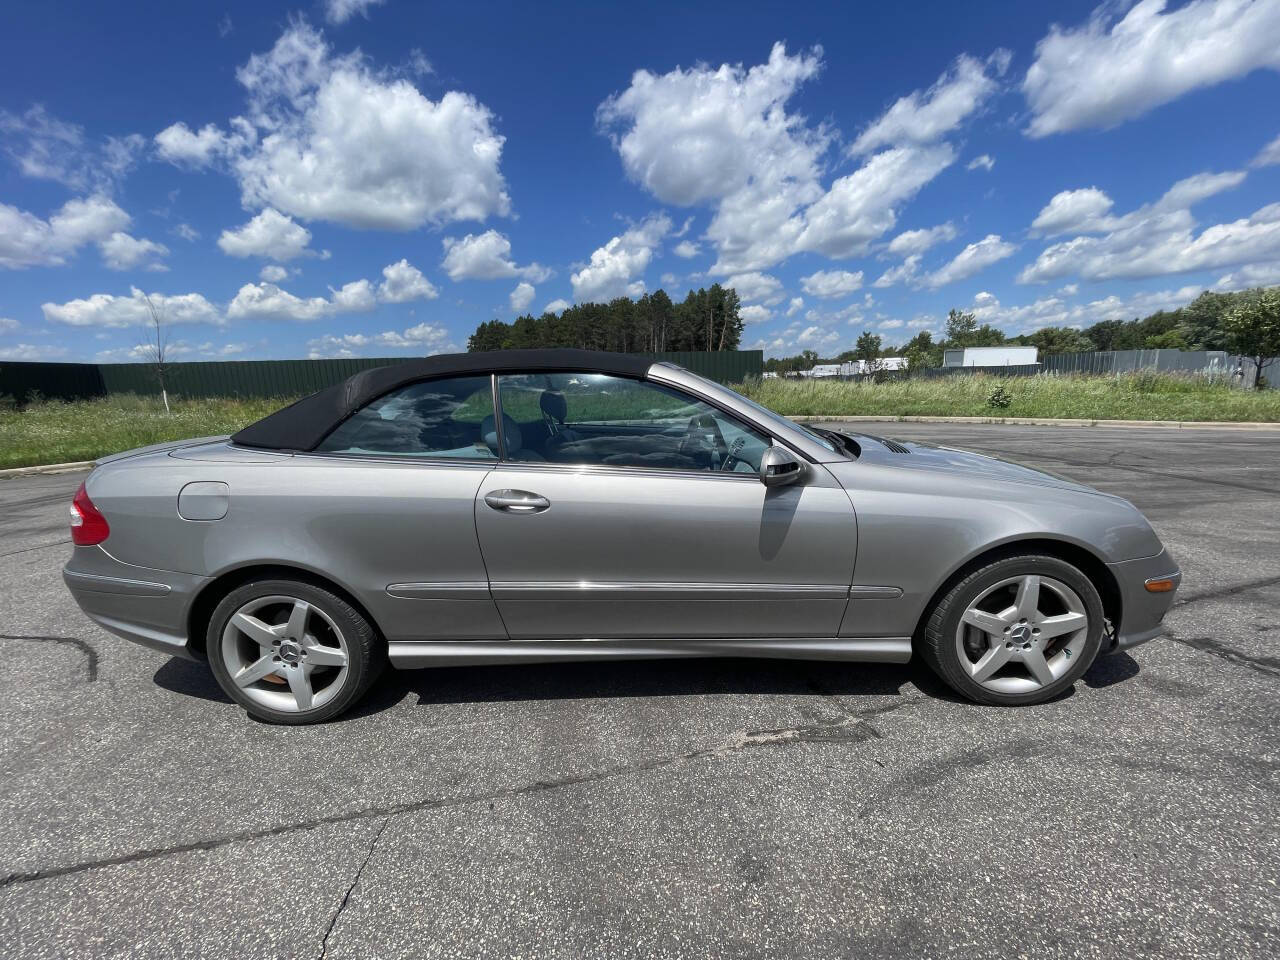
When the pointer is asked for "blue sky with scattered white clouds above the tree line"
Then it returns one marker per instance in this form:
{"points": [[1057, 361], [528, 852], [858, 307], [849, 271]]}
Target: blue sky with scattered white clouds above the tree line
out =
{"points": [[377, 179]]}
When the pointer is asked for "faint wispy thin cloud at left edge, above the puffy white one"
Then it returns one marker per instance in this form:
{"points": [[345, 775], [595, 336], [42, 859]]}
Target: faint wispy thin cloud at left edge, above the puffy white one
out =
{"points": [[45, 148]]}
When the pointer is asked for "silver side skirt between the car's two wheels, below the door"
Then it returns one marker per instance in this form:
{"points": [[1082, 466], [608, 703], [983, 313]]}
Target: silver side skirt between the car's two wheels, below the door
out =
{"points": [[409, 655]]}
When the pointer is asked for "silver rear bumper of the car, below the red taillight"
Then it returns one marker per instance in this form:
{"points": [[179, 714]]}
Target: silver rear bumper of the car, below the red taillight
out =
{"points": [[140, 605]]}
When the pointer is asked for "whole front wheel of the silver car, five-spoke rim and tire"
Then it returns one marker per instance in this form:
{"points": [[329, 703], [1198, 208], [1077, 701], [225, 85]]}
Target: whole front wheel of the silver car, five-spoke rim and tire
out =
{"points": [[1017, 632]]}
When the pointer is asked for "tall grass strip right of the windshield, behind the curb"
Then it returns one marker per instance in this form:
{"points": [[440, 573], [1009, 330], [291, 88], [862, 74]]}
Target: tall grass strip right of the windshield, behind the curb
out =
{"points": [[1144, 396]]}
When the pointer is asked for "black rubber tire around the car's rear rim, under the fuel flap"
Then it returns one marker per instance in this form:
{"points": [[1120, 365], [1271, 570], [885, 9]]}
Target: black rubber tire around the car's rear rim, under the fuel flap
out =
{"points": [[364, 647]]}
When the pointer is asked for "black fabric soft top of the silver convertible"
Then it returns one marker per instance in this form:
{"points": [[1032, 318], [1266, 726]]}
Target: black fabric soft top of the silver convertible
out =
{"points": [[303, 426]]}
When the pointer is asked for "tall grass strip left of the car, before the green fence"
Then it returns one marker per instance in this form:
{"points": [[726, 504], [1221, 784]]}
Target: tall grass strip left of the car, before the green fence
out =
{"points": [[53, 432]]}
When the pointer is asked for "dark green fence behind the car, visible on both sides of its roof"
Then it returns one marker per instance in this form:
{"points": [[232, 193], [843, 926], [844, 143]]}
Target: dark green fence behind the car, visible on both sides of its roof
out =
{"points": [[272, 378]]}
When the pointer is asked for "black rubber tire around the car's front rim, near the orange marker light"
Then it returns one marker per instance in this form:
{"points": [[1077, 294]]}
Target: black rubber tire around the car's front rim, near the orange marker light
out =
{"points": [[939, 647]]}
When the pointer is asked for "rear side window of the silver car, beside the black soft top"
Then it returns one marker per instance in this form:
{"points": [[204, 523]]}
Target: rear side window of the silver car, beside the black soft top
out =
{"points": [[447, 418]]}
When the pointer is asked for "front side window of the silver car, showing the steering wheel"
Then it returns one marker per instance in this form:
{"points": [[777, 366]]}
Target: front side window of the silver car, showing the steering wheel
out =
{"points": [[611, 420]]}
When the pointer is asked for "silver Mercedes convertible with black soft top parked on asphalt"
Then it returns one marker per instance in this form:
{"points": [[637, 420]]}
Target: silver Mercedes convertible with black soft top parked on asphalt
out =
{"points": [[537, 506]]}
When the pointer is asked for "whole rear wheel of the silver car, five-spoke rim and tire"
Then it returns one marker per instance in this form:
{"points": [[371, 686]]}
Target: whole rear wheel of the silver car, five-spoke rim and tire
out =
{"points": [[292, 653]]}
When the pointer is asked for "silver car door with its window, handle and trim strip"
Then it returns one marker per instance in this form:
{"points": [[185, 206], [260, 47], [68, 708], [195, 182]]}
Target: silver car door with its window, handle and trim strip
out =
{"points": [[625, 509]]}
